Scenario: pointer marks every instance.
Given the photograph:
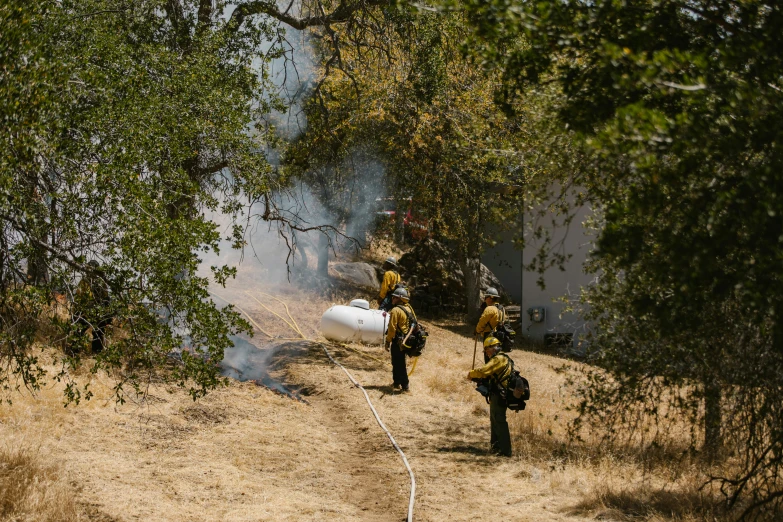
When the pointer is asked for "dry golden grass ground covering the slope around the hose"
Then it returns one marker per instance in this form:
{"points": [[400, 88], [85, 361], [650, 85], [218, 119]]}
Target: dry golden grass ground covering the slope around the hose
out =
{"points": [[244, 453]]}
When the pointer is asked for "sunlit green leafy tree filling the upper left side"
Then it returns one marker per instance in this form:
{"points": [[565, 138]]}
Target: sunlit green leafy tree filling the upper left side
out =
{"points": [[123, 123]]}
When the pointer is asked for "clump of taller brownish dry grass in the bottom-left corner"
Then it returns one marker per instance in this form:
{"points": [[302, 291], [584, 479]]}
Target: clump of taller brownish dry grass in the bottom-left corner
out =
{"points": [[33, 490]]}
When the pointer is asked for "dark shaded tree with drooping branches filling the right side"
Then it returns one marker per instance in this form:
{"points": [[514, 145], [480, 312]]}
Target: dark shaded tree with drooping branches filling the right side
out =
{"points": [[680, 104]]}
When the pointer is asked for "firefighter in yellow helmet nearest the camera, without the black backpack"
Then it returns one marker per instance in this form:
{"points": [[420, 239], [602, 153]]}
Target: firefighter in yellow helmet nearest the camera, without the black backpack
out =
{"points": [[495, 375]]}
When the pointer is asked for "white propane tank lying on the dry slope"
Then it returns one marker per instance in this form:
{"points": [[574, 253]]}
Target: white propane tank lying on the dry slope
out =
{"points": [[354, 323]]}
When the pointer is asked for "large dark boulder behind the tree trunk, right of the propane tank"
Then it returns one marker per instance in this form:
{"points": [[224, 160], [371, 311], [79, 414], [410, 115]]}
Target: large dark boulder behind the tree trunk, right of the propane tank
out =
{"points": [[436, 279]]}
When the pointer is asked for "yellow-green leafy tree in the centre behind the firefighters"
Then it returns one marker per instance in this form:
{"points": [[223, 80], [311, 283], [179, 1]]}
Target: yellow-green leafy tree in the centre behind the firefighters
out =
{"points": [[396, 84]]}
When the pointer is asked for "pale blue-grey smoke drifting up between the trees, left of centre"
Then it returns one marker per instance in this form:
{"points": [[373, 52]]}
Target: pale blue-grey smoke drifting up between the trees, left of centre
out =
{"points": [[342, 196]]}
